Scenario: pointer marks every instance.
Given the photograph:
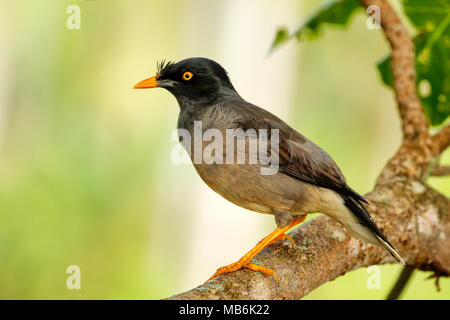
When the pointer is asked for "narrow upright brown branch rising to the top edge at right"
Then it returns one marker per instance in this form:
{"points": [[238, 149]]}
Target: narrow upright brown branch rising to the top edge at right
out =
{"points": [[413, 156]]}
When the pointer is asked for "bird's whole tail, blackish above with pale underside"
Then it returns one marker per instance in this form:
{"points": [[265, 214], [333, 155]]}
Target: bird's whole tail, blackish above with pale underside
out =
{"points": [[366, 228]]}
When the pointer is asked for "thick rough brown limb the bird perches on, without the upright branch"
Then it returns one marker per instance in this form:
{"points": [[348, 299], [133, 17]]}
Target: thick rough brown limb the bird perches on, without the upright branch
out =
{"points": [[416, 218]]}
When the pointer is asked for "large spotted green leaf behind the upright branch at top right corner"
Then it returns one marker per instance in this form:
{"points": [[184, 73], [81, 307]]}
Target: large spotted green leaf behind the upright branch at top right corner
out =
{"points": [[432, 46]]}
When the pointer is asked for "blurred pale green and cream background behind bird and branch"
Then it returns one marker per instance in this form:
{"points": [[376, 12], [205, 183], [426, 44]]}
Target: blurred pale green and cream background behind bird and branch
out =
{"points": [[85, 161]]}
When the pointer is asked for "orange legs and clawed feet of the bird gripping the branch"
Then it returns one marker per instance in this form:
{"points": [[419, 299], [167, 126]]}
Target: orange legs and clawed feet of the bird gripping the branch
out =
{"points": [[244, 262]]}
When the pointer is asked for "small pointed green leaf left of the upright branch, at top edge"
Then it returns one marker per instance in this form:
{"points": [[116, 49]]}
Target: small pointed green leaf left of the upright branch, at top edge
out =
{"points": [[335, 12]]}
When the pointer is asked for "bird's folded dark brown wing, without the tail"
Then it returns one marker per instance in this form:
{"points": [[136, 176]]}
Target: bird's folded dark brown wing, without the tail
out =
{"points": [[298, 156]]}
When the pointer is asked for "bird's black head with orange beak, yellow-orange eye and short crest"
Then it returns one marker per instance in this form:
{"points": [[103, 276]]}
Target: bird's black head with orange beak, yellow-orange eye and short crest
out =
{"points": [[192, 81]]}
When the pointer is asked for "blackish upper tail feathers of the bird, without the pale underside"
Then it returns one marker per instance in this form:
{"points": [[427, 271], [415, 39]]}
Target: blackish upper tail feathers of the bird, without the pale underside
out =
{"points": [[355, 206]]}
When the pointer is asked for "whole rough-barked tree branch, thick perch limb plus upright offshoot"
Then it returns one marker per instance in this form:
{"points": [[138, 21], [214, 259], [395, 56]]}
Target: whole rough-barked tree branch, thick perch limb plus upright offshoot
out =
{"points": [[415, 218]]}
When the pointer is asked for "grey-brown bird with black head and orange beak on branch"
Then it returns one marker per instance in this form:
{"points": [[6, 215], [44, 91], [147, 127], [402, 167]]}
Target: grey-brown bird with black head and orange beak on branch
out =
{"points": [[306, 180]]}
